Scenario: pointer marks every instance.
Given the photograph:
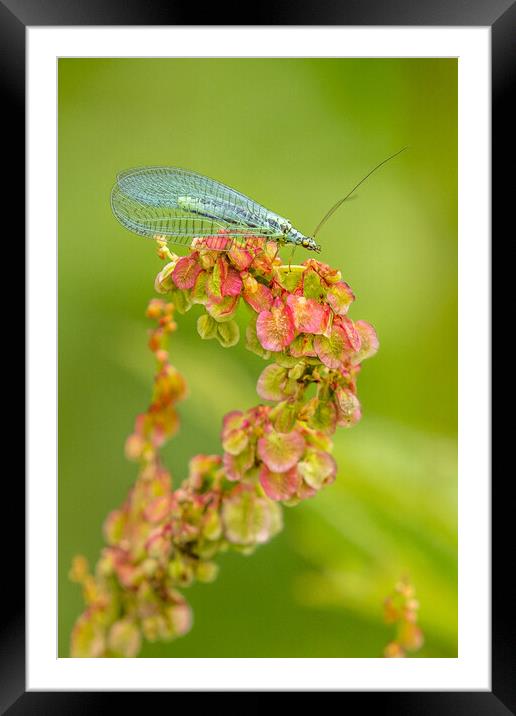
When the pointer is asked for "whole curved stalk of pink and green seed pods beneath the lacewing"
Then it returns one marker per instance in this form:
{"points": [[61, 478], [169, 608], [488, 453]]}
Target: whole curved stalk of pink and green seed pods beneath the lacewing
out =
{"points": [[162, 538]]}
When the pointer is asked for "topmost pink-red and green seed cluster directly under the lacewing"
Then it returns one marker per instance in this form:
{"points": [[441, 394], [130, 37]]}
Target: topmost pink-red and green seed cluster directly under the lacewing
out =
{"points": [[301, 310]]}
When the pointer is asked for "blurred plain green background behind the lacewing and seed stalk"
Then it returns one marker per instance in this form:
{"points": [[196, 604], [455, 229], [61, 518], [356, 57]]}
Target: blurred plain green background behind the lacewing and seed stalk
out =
{"points": [[296, 135]]}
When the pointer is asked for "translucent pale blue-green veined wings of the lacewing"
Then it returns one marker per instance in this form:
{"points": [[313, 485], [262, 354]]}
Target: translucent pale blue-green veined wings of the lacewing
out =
{"points": [[181, 205]]}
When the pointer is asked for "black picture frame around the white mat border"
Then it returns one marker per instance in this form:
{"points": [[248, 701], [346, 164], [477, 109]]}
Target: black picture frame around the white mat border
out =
{"points": [[500, 15]]}
